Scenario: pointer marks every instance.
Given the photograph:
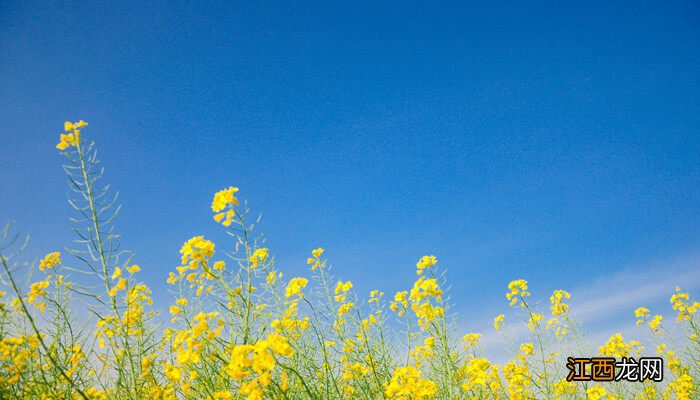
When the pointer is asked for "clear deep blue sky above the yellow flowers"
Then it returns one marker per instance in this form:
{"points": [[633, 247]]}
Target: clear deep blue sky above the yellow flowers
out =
{"points": [[543, 141]]}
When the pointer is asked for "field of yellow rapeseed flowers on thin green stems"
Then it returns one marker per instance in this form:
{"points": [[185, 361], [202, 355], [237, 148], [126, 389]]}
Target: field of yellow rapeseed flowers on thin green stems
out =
{"points": [[238, 329]]}
